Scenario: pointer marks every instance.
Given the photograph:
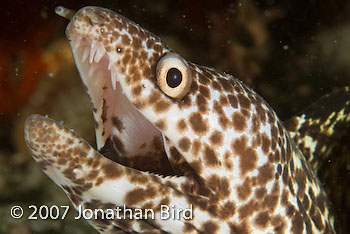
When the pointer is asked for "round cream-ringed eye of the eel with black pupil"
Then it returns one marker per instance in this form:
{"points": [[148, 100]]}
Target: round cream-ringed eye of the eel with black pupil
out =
{"points": [[173, 76]]}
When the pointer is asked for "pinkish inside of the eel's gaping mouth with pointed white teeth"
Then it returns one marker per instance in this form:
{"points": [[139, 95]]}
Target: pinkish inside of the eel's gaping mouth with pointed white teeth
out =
{"points": [[123, 134]]}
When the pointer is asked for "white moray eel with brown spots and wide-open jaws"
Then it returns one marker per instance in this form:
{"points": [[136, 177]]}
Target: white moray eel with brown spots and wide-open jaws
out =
{"points": [[173, 133]]}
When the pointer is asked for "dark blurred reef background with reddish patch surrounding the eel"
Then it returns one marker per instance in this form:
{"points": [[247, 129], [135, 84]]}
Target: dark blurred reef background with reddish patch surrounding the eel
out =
{"points": [[290, 52]]}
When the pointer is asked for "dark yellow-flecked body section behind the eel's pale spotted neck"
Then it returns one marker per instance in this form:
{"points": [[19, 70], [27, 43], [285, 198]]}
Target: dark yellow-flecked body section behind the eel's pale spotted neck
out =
{"points": [[321, 132]]}
